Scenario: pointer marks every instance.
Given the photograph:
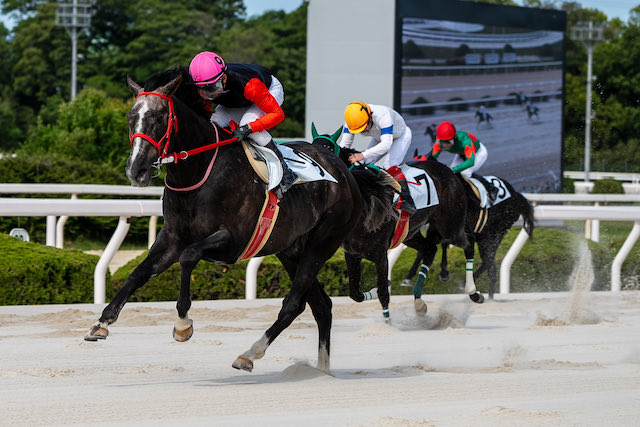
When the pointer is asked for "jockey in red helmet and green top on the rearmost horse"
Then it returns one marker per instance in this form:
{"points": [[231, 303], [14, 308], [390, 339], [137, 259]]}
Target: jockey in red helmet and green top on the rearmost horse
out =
{"points": [[471, 154]]}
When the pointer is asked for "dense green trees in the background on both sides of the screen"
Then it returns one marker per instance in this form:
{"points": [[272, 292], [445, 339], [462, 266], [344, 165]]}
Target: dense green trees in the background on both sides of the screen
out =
{"points": [[147, 36]]}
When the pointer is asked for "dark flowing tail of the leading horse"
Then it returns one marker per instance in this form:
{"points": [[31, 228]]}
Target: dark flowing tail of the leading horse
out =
{"points": [[377, 190]]}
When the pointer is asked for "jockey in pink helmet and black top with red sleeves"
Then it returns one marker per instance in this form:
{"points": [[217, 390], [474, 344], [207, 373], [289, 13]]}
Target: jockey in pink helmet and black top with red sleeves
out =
{"points": [[247, 94]]}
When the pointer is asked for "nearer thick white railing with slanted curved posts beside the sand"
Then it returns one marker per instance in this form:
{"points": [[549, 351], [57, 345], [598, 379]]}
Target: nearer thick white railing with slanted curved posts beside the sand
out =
{"points": [[128, 208]]}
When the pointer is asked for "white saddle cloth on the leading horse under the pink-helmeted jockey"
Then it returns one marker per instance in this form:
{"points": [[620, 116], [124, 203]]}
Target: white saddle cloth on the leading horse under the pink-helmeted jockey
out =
{"points": [[305, 167]]}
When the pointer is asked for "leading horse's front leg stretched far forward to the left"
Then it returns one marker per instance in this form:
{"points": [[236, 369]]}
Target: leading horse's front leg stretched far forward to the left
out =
{"points": [[160, 257]]}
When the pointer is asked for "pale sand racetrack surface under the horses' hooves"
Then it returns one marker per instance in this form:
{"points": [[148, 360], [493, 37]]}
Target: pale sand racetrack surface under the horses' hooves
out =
{"points": [[520, 360]]}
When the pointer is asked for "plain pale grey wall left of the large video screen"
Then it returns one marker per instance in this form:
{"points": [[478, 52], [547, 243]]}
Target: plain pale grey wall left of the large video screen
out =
{"points": [[350, 57]]}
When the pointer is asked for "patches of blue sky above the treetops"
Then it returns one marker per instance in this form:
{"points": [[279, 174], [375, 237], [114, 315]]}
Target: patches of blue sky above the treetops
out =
{"points": [[612, 8]]}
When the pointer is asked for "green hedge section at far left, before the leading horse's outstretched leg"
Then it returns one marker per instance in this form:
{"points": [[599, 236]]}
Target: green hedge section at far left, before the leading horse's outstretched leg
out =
{"points": [[35, 274]]}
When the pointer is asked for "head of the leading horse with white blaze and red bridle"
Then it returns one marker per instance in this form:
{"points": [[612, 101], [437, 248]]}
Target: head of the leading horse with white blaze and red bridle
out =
{"points": [[151, 124]]}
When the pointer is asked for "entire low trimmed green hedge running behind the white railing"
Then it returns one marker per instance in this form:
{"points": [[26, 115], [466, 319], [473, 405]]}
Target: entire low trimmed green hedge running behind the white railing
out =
{"points": [[37, 274]]}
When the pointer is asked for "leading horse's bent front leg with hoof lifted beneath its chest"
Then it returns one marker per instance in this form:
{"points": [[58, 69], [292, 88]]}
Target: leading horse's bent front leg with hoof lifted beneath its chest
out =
{"points": [[212, 247]]}
